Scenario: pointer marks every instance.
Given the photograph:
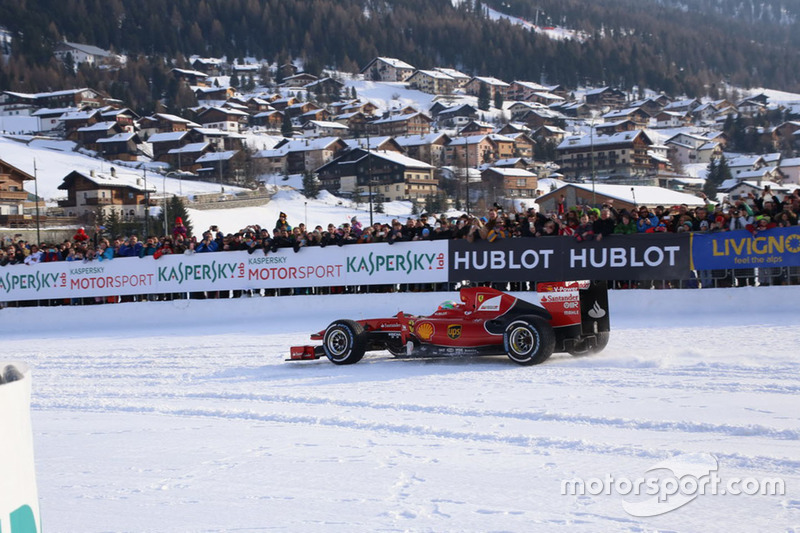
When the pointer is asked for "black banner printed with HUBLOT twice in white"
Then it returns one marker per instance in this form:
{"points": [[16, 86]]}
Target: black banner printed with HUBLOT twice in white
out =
{"points": [[616, 257]]}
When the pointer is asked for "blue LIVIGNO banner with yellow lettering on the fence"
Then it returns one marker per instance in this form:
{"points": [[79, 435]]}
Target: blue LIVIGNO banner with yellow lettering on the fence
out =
{"points": [[777, 247]]}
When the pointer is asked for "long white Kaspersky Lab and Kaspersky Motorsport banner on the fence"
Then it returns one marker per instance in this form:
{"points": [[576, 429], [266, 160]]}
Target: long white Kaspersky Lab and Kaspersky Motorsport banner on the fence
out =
{"points": [[367, 264]]}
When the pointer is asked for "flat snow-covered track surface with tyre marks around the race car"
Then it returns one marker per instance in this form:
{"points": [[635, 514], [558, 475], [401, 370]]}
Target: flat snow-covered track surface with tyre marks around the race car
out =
{"points": [[182, 416]]}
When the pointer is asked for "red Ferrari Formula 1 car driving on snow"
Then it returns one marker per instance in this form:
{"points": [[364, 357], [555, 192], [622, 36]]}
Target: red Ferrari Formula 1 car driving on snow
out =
{"points": [[568, 317]]}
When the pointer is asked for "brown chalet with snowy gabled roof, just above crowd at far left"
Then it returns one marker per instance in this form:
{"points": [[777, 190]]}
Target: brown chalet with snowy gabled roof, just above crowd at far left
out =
{"points": [[90, 192]]}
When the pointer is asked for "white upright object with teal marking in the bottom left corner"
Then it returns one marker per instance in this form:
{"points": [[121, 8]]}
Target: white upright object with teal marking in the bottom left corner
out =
{"points": [[19, 501]]}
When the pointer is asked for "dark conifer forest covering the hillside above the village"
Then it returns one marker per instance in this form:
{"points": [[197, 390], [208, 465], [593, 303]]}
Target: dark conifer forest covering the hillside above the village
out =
{"points": [[692, 47]]}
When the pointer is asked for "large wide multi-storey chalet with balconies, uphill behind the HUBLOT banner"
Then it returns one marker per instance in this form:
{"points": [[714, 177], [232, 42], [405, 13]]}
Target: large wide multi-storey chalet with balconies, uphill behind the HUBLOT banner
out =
{"points": [[622, 155]]}
